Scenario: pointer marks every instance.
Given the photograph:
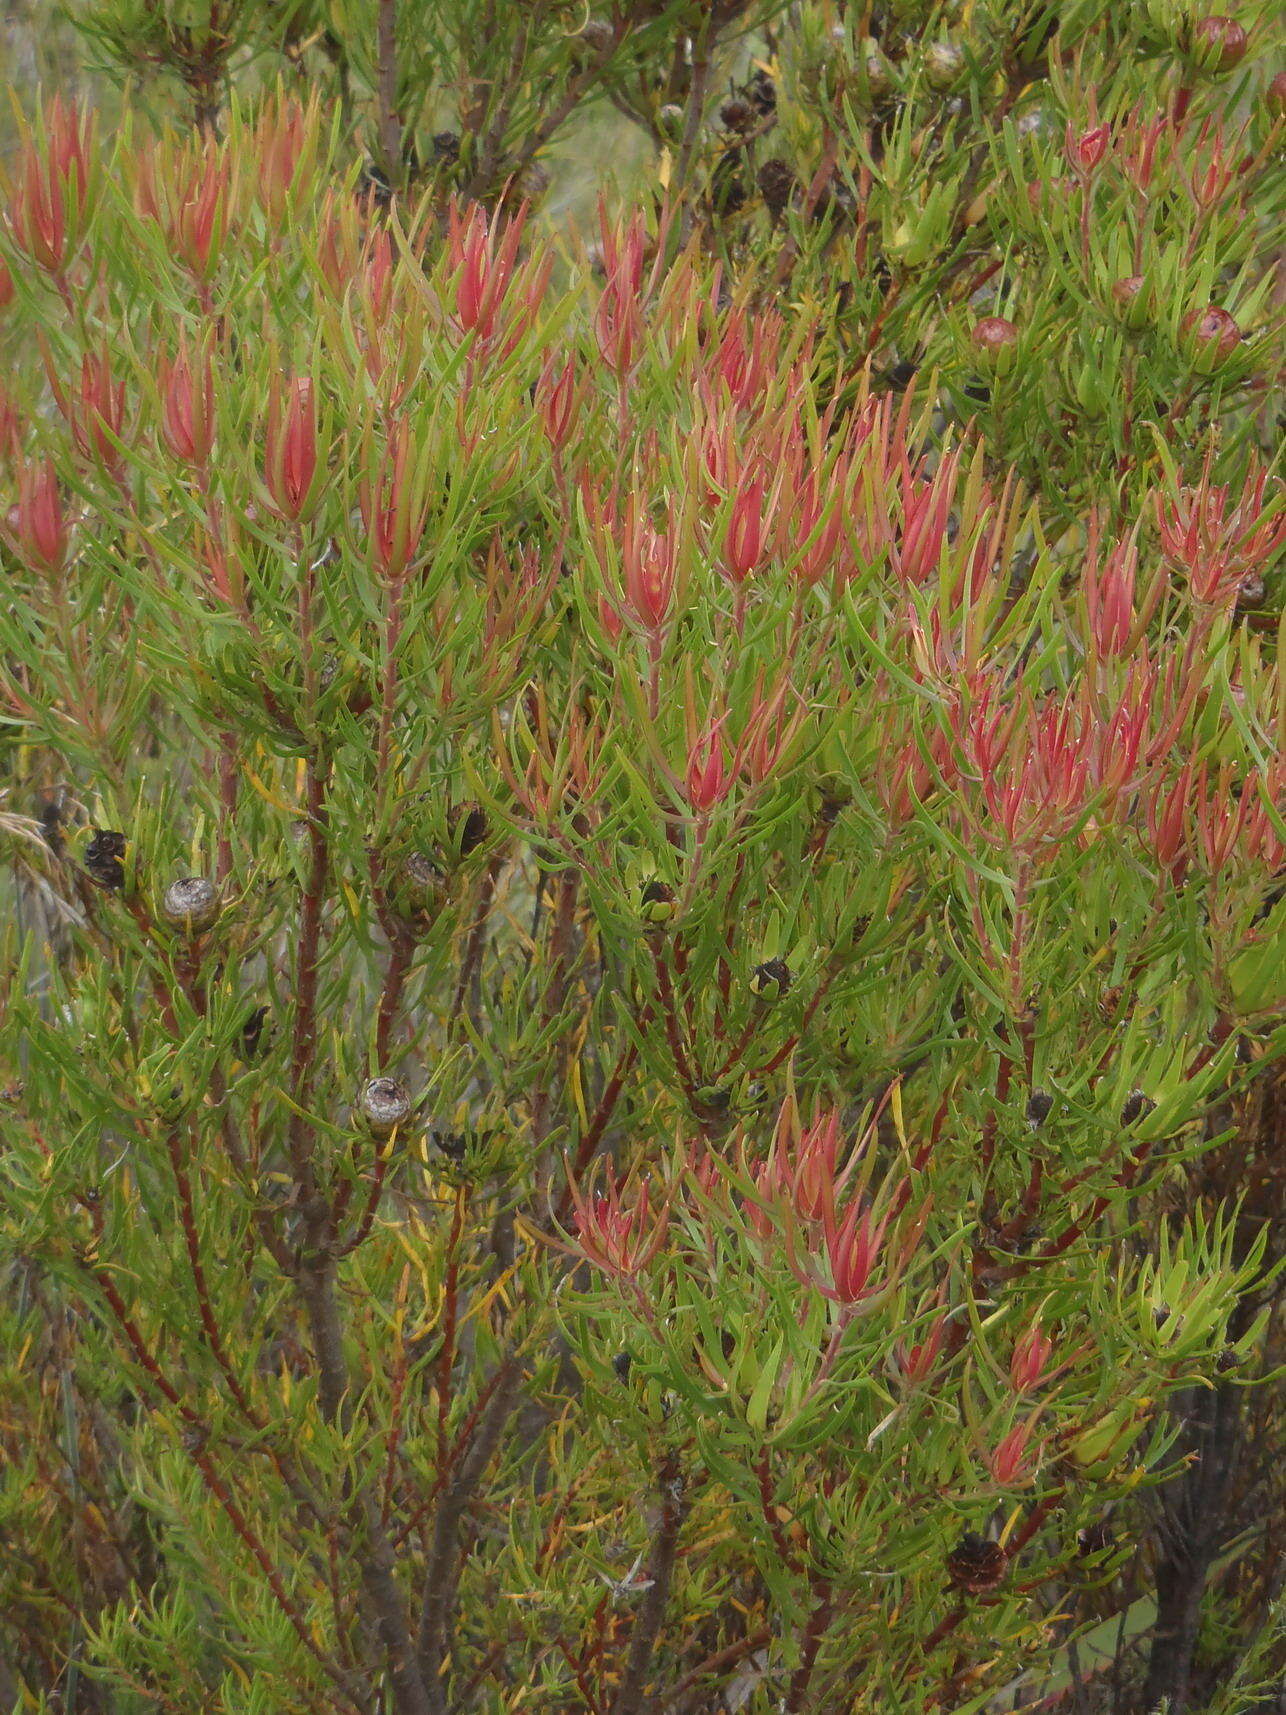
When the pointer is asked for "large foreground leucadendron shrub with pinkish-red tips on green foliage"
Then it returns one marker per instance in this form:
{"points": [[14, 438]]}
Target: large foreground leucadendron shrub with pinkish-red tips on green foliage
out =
{"points": [[630, 963]]}
